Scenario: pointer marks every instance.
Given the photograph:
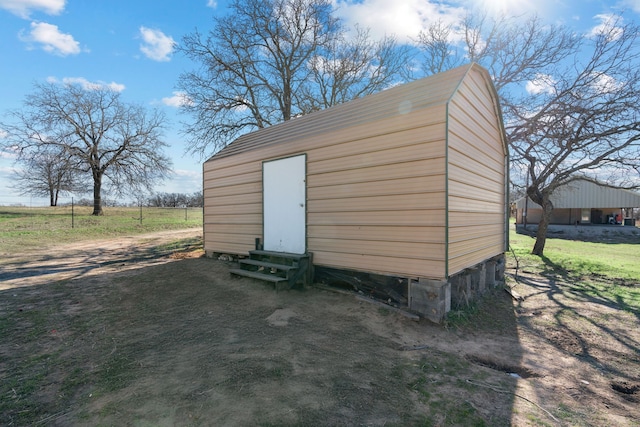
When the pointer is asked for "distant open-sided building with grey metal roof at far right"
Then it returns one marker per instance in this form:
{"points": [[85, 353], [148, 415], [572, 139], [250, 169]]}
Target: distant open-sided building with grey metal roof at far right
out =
{"points": [[583, 202]]}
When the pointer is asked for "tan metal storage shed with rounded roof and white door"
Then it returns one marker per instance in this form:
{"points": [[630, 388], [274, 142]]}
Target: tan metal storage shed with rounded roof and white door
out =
{"points": [[409, 183]]}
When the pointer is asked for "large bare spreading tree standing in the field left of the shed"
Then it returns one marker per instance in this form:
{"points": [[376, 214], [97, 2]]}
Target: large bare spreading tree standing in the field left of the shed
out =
{"points": [[95, 130]]}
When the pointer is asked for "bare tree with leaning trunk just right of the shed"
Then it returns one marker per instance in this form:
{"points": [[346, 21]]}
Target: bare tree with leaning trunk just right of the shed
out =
{"points": [[569, 101]]}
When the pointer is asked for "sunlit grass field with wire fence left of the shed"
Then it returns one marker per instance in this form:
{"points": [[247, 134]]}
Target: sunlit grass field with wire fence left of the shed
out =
{"points": [[24, 228]]}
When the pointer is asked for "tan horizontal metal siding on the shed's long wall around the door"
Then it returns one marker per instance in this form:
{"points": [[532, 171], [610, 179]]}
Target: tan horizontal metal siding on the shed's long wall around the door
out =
{"points": [[391, 179]]}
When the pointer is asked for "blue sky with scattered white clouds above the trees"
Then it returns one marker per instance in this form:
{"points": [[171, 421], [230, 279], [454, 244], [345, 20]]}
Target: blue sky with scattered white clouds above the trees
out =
{"points": [[130, 45]]}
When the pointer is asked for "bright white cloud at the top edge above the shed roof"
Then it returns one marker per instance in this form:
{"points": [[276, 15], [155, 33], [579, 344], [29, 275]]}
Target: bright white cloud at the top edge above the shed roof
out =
{"points": [[404, 19]]}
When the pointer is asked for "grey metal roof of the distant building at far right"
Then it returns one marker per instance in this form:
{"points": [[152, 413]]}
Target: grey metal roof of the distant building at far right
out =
{"points": [[582, 194]]}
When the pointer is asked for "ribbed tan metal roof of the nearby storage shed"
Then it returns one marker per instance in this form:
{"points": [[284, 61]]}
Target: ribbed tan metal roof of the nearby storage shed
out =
{"points": [[402, 99]]}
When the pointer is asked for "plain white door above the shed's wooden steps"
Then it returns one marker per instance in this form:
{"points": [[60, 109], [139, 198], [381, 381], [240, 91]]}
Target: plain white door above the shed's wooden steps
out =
{"points": [[284, 204]]}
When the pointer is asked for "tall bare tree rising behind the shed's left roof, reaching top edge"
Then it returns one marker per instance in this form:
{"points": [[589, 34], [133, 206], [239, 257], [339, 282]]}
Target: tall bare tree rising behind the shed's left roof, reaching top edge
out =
{"points": [[268, 61]]}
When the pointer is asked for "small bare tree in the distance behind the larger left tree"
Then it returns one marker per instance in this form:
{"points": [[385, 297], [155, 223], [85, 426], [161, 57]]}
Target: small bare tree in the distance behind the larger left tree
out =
{"points": [[48, 174]]}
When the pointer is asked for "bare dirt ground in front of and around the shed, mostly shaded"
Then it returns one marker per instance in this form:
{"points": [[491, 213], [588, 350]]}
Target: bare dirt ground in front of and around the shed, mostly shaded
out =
{"points": [[145, 331]]}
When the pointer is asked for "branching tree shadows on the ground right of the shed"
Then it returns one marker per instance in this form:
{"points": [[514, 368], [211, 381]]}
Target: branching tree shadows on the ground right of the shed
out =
{"points": [[590, 318]]}
